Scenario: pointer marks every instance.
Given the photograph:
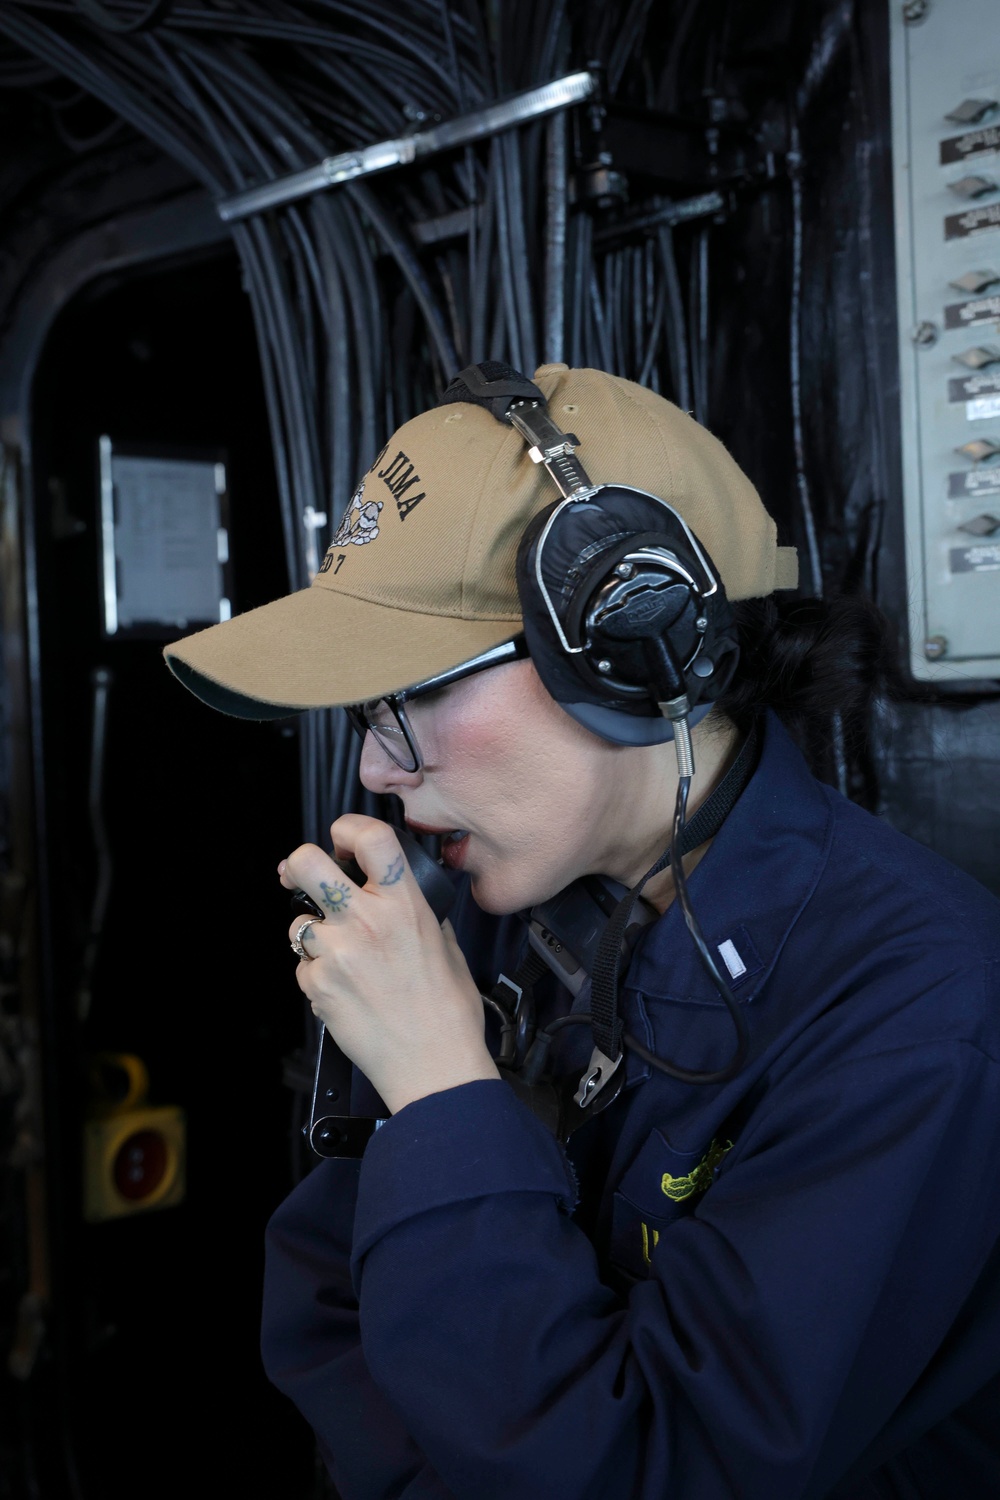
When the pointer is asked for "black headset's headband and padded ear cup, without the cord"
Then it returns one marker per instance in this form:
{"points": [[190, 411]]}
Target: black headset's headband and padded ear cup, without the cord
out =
{"points": [[626, 616]]}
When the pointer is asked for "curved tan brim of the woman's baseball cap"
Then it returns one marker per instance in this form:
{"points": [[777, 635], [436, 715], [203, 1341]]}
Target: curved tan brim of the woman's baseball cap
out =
{"points": [[322, 650]]}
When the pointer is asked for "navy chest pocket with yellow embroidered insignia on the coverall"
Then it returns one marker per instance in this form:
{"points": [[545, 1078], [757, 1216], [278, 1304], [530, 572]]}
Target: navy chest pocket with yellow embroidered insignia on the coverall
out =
{"points": [[660, 1187]]}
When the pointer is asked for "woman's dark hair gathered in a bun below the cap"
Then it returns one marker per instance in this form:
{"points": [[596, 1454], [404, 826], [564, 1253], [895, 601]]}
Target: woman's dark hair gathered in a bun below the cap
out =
{"points": [[821, 665]]}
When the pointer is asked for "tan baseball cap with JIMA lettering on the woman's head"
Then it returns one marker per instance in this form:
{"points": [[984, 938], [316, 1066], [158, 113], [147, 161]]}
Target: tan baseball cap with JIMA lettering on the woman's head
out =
{"points": [[421, 574]]}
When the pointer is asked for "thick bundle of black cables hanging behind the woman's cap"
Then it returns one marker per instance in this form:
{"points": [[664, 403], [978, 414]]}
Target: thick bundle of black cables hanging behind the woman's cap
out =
{"points": [[365, 305]]}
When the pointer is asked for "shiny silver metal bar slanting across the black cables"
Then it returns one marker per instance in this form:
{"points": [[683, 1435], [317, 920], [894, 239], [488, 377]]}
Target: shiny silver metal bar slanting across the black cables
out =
{"points": [[533, 104]]}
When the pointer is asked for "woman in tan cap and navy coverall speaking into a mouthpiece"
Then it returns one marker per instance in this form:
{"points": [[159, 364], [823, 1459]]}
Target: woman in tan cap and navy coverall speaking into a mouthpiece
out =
{"points": [[779, 1283]]}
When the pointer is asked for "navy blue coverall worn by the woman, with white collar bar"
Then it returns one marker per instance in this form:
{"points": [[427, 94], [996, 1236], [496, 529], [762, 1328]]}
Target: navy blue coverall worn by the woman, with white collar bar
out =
{"points": [[783, 1288]]}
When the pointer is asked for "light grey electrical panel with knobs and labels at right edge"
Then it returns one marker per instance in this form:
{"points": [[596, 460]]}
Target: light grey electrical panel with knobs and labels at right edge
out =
{"points": [[945, 65]]}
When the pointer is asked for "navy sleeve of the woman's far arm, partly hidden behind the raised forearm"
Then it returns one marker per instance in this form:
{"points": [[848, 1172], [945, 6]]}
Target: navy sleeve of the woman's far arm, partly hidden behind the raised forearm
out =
{"points": [[313, 1348]]}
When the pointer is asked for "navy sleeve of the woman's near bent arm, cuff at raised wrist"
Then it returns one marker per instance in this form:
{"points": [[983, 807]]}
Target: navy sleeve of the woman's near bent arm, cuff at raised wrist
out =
{"points": [[773, 1337]]}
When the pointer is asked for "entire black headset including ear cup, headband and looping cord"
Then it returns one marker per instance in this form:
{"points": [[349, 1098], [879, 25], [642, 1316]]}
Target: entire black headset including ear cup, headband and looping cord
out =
{"points": [[630, 631]]}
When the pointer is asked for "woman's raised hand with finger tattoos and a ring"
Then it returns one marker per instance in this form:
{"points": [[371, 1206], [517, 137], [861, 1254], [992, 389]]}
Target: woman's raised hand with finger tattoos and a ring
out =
{"points": [[386, 979]]}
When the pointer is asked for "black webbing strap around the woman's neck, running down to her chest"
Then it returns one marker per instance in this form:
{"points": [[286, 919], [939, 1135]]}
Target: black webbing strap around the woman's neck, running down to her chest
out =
{"points": [[705, 824]]}
